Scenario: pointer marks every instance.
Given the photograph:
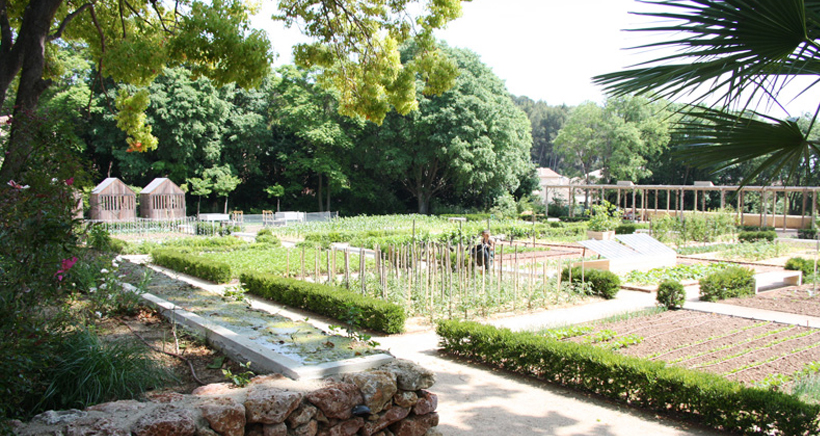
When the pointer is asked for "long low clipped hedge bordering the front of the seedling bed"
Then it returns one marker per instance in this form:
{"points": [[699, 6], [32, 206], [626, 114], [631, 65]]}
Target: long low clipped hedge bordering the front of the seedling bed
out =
{"points": [[700, 397]]}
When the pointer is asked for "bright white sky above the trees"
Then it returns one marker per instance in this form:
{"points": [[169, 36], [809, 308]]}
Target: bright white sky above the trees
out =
{"points": [[543, 49]]}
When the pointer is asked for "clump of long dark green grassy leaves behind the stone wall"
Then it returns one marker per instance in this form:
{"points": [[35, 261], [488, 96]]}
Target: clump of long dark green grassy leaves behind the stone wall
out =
{"points": [[88, 371]]}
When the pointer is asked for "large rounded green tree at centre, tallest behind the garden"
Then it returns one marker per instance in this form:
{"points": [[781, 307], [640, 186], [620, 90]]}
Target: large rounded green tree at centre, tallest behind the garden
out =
{"points": [[471, 139]]}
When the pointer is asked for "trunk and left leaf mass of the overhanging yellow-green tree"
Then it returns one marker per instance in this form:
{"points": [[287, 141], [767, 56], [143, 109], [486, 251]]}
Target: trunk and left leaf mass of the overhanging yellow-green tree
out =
{"points": [[130, 42]]}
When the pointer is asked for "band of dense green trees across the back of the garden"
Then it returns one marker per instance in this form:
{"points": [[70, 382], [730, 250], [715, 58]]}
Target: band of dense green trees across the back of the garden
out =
{"points": [[284, 143]]}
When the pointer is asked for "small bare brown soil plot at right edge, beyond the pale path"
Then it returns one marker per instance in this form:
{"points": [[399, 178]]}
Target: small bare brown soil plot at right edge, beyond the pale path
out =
{"points": [[802, 300]]}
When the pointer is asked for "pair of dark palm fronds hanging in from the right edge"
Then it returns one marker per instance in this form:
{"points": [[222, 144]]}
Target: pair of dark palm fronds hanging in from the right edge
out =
{"points": [[734, 56]]}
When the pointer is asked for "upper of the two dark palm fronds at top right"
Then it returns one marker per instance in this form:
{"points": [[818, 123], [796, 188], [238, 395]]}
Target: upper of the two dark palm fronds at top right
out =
{"points": [[730, 46]]}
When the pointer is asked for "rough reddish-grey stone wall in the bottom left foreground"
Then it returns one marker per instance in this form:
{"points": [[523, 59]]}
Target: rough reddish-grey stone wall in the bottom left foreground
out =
{"points": [[390, 400]]}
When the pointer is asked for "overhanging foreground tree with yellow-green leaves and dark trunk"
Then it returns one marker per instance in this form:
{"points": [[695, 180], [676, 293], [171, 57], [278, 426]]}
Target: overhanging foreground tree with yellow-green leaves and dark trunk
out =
{"points": [[132, 41]]}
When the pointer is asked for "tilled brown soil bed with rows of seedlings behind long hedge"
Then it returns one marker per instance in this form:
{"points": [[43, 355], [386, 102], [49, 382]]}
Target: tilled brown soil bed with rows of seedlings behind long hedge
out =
{"points": [[739, 349]]}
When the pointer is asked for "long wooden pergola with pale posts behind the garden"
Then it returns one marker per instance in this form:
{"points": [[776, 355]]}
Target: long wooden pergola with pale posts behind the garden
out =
{"points": [[644, 201]]}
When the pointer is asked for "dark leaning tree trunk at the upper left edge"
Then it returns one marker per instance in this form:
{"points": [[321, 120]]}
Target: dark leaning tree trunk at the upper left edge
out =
{"points": [[27, 56]]}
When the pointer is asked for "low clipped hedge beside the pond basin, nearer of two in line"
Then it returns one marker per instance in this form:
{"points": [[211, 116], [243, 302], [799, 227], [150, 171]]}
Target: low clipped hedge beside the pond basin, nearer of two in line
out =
{"points": [[335, 302]]}
